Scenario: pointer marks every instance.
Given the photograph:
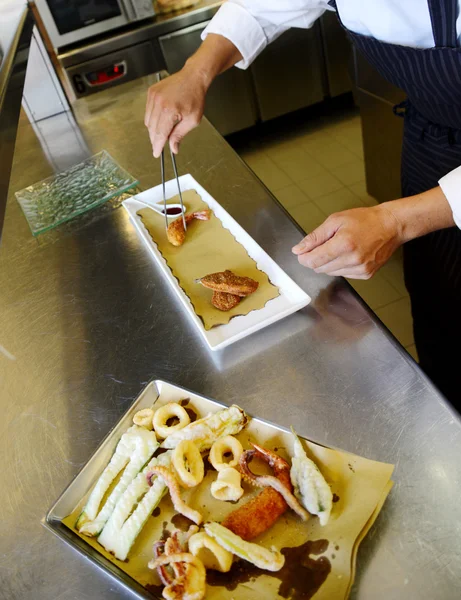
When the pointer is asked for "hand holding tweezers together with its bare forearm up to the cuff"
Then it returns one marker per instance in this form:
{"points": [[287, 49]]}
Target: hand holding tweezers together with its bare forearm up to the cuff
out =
{"points": [[175, 105]]}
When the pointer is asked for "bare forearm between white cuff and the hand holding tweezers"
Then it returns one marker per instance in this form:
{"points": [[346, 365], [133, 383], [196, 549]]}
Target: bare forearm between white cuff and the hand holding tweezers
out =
{"points": [[215, 55]]}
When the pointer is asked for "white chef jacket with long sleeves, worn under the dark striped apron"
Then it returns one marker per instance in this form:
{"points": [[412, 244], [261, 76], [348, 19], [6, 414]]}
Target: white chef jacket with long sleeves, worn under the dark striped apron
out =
{"points": [[252, 24]]}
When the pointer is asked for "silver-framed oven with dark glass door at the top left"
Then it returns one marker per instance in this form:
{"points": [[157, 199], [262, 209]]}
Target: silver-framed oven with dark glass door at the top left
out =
{"points": [[69, 22]]}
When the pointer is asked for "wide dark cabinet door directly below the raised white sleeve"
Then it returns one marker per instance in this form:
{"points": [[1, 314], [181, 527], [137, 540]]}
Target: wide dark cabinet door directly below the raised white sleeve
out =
{"points": [[288, 75]]}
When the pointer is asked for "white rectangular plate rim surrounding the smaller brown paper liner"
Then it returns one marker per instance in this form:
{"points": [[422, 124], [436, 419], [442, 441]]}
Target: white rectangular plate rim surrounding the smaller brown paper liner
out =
{"points": [[291, 298]]}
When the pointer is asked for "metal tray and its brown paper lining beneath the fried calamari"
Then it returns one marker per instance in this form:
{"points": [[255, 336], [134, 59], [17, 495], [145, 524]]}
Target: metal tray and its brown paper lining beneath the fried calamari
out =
{"points": [[359, 485]]}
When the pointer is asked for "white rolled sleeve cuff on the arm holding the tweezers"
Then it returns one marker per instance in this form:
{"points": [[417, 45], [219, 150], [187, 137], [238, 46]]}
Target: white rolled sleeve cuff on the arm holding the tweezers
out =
{"points": [[241, 28]]}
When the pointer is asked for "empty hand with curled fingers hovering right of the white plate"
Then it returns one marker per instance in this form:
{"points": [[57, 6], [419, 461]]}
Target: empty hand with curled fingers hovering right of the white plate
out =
{"points": [[354, 243]]}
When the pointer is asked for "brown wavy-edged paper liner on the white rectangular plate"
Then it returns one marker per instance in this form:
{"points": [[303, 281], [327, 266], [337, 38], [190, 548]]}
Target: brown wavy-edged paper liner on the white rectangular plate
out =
{"points": [[209, 248]]}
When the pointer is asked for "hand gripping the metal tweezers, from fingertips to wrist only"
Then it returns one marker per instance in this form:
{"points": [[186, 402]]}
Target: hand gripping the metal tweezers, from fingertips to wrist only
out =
{"points": [[174, 107]]}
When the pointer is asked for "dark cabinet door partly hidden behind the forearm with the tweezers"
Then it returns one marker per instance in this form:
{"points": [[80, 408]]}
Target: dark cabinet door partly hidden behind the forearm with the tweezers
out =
{"points": [[230, 104]]}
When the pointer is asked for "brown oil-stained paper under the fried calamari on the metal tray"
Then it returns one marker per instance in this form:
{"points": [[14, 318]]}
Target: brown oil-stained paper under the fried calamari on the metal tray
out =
{"points": [[361, 486]]}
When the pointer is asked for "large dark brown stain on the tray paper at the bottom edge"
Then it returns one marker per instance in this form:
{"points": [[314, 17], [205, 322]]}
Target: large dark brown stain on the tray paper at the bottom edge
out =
{"points": [[300, 577]]}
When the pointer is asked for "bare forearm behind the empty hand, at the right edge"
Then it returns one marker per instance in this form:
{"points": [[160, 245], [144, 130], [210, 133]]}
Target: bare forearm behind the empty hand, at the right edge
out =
{"points": [[417, 215]]}
